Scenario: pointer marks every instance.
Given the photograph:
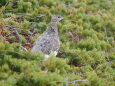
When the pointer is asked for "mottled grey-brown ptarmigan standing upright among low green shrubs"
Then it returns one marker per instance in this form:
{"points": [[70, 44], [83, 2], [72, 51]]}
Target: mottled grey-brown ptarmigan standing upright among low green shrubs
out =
{"points": [[48, 42]]}
